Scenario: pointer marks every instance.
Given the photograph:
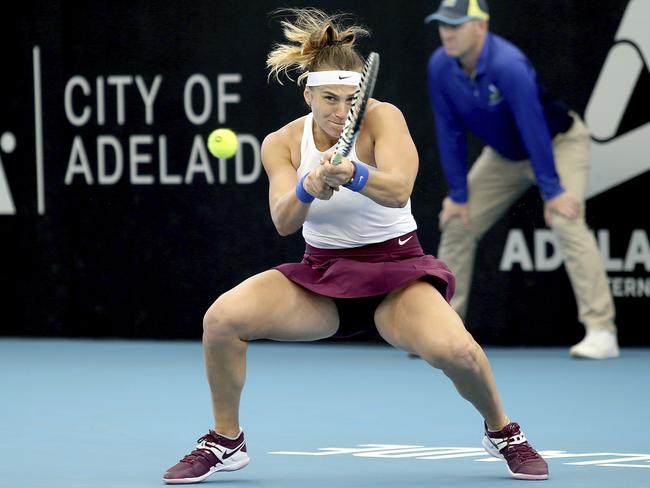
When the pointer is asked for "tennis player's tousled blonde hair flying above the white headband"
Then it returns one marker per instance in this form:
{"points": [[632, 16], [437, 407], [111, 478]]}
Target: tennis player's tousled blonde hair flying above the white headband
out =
{"points": [[317, 42]]}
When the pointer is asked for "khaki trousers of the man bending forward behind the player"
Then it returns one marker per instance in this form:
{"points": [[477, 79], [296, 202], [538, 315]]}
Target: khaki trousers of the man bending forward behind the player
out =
{"points": [[494, 185]]}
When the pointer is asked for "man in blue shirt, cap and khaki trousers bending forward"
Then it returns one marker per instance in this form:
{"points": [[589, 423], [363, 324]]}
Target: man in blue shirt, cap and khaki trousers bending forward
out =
{"points": [[481, 83]]}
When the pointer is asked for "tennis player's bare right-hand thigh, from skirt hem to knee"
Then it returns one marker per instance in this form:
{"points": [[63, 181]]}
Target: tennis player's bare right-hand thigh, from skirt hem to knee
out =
{"points": [[418, 319]]}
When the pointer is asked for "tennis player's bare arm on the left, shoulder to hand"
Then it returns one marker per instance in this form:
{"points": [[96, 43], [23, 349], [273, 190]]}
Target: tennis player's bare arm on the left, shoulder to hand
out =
{"points": [[287, 212]]}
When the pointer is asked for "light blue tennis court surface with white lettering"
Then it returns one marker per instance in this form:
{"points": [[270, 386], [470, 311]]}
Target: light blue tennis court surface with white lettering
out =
{"points": [[83, 413]]}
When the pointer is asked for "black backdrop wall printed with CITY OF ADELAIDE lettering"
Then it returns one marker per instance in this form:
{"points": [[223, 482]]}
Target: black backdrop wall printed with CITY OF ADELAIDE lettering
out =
{"points": [[140, 246]]}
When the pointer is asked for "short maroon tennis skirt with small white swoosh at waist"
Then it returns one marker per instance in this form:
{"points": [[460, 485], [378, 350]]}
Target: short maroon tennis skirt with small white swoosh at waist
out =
{"points": [[376, 269]]}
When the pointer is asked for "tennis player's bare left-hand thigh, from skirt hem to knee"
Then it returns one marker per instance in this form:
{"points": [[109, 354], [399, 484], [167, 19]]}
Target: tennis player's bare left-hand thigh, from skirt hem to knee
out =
{"points": [[270, 306]]}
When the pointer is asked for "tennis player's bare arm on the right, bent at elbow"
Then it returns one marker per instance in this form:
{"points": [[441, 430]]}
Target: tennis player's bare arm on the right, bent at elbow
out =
{"points": [[396, 157]]}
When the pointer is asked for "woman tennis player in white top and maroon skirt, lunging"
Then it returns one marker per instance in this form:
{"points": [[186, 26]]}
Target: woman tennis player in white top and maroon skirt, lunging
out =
{"points": [[362, 254]]}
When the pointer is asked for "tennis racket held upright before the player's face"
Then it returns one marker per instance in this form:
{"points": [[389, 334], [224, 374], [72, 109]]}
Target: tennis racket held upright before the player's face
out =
{"points": [[357, 109]]}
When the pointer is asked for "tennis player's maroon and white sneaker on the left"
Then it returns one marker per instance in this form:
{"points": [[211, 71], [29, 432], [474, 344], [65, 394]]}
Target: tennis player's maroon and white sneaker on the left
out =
{"points": [[213, 453]]}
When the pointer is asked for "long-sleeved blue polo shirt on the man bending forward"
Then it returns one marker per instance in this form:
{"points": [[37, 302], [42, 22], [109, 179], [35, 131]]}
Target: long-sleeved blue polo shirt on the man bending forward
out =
{"points": [[503, 104]]}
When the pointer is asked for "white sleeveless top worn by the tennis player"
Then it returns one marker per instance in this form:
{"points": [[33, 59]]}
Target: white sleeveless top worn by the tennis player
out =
{"points": [[348, 219]]}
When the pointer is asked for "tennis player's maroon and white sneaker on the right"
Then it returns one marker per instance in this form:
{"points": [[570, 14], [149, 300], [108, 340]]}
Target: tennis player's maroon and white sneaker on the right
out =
{"points": [[510, 444]]}
